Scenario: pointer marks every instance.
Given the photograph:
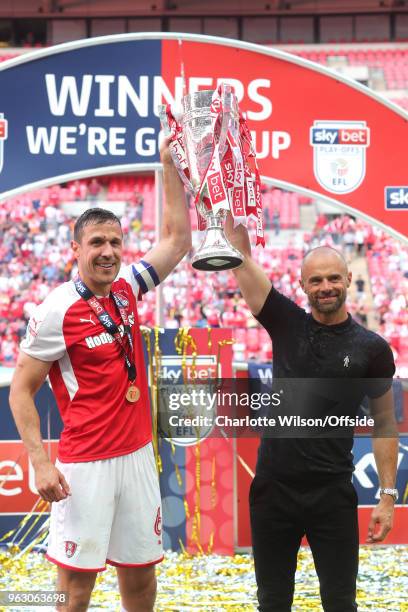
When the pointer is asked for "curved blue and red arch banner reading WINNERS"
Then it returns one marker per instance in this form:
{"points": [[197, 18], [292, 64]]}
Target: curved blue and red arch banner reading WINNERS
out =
{"points": [[90, 107]]}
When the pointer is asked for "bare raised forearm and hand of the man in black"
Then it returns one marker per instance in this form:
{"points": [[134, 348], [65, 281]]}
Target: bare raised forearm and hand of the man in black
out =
{"points": [[252, 280]]}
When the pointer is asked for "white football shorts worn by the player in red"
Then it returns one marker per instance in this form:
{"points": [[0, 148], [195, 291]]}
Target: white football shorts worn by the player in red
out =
{"points": [[113, 514]]}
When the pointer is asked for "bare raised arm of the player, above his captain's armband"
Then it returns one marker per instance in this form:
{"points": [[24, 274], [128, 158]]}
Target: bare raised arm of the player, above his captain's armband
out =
{"points": [[175, 239]]}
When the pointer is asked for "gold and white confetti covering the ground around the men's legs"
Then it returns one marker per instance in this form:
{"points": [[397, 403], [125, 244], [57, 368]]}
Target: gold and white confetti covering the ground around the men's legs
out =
{"points": [[213, 583]]}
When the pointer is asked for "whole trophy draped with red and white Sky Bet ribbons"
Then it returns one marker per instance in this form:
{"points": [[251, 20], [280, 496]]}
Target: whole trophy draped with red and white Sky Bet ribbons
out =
{"points": [[213, 152]]}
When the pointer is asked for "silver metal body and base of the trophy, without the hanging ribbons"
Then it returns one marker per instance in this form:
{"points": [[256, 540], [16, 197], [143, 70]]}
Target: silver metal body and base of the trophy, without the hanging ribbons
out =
{"points": [[215, 252]]}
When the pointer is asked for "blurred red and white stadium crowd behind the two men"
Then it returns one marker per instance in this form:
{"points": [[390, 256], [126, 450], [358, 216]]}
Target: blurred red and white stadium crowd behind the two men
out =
{"points": [[35, 256]]}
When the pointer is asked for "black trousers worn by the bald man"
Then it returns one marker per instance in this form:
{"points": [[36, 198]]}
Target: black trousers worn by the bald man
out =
{"points": [[281, 513]]}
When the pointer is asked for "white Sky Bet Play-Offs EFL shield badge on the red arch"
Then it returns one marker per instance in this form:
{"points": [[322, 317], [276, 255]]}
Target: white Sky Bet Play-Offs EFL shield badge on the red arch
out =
{"points": [[339, 160]]}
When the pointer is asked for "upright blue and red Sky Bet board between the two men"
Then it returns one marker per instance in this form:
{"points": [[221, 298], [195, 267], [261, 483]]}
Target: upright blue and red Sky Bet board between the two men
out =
{"points": [[196, 481]]}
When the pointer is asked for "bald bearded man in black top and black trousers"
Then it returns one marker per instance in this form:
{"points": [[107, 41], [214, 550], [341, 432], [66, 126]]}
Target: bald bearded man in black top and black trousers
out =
{"points": [[303, 484]]}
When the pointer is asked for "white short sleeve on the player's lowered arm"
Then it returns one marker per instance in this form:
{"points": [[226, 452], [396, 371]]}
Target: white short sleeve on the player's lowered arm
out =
{"points": [[44, 337]]}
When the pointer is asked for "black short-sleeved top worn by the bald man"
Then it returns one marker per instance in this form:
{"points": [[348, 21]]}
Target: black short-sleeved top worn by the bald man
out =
{"points": [[304, 349]]}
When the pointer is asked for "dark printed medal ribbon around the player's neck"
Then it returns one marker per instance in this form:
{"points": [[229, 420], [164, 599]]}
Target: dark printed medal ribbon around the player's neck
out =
{"points": [[109, 324]]}
